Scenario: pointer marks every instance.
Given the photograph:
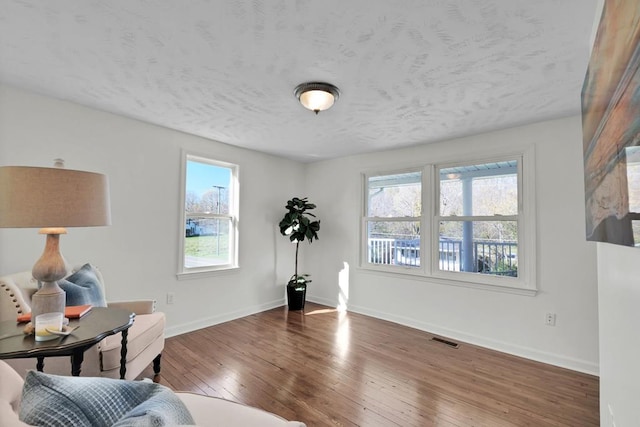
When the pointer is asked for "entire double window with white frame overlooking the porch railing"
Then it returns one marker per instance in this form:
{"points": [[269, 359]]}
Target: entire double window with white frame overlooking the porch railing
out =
{"points": [[468, 223]]}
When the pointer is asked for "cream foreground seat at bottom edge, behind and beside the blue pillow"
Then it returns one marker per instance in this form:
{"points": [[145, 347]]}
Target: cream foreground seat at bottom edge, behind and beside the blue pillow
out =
{"points": [[206, 411]]}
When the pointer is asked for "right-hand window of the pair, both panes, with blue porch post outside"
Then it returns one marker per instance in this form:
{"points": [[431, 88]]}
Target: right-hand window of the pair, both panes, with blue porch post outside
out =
{"points": [[477, 223]]}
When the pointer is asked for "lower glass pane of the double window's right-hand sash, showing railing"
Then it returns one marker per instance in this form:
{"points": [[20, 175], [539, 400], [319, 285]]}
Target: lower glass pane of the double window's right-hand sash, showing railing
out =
{"points": [[487, 247]]}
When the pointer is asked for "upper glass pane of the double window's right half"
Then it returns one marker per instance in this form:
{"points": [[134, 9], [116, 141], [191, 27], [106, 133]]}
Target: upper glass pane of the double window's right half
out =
{"points": [[485, 189]]}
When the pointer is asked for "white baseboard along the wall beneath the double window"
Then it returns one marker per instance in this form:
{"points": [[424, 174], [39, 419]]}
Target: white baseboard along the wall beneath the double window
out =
{"points": [[516, 350]]}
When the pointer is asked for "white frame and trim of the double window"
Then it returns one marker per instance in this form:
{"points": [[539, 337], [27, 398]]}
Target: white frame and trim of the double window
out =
{"points": [[524, 284]]}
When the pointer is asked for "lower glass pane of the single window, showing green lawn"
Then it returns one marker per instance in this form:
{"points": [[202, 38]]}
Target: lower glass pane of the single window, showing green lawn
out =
{"points": [[206, 242]]}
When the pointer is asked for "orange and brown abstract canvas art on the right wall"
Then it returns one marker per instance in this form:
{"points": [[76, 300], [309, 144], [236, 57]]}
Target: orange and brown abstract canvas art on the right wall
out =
{"points": [[611, 127]]}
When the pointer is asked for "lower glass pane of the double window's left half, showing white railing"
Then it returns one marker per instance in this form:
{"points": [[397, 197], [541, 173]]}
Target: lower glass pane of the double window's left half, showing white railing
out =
{"points": [[394, 243]]}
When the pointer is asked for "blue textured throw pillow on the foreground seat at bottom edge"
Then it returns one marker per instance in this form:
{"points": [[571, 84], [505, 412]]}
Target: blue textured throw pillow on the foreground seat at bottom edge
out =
{"points": [[52, 400]]}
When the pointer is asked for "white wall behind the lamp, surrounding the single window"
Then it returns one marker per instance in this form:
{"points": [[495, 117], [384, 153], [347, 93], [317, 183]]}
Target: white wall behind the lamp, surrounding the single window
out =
{"points": [[138, 253]]}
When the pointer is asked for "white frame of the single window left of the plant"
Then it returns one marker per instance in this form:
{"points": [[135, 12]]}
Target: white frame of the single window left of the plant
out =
{"points": [[232, 217]]}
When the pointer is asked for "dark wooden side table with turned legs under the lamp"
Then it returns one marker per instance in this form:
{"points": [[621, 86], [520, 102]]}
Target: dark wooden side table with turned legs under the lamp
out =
{"points": [[93, 327]]}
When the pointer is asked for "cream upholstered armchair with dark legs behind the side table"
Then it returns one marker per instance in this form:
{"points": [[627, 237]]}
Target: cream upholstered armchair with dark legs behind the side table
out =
{"points": [[145, 340]]}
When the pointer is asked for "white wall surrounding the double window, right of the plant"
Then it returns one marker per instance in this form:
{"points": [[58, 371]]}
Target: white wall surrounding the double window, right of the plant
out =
{"points": [[512, 323]]}
